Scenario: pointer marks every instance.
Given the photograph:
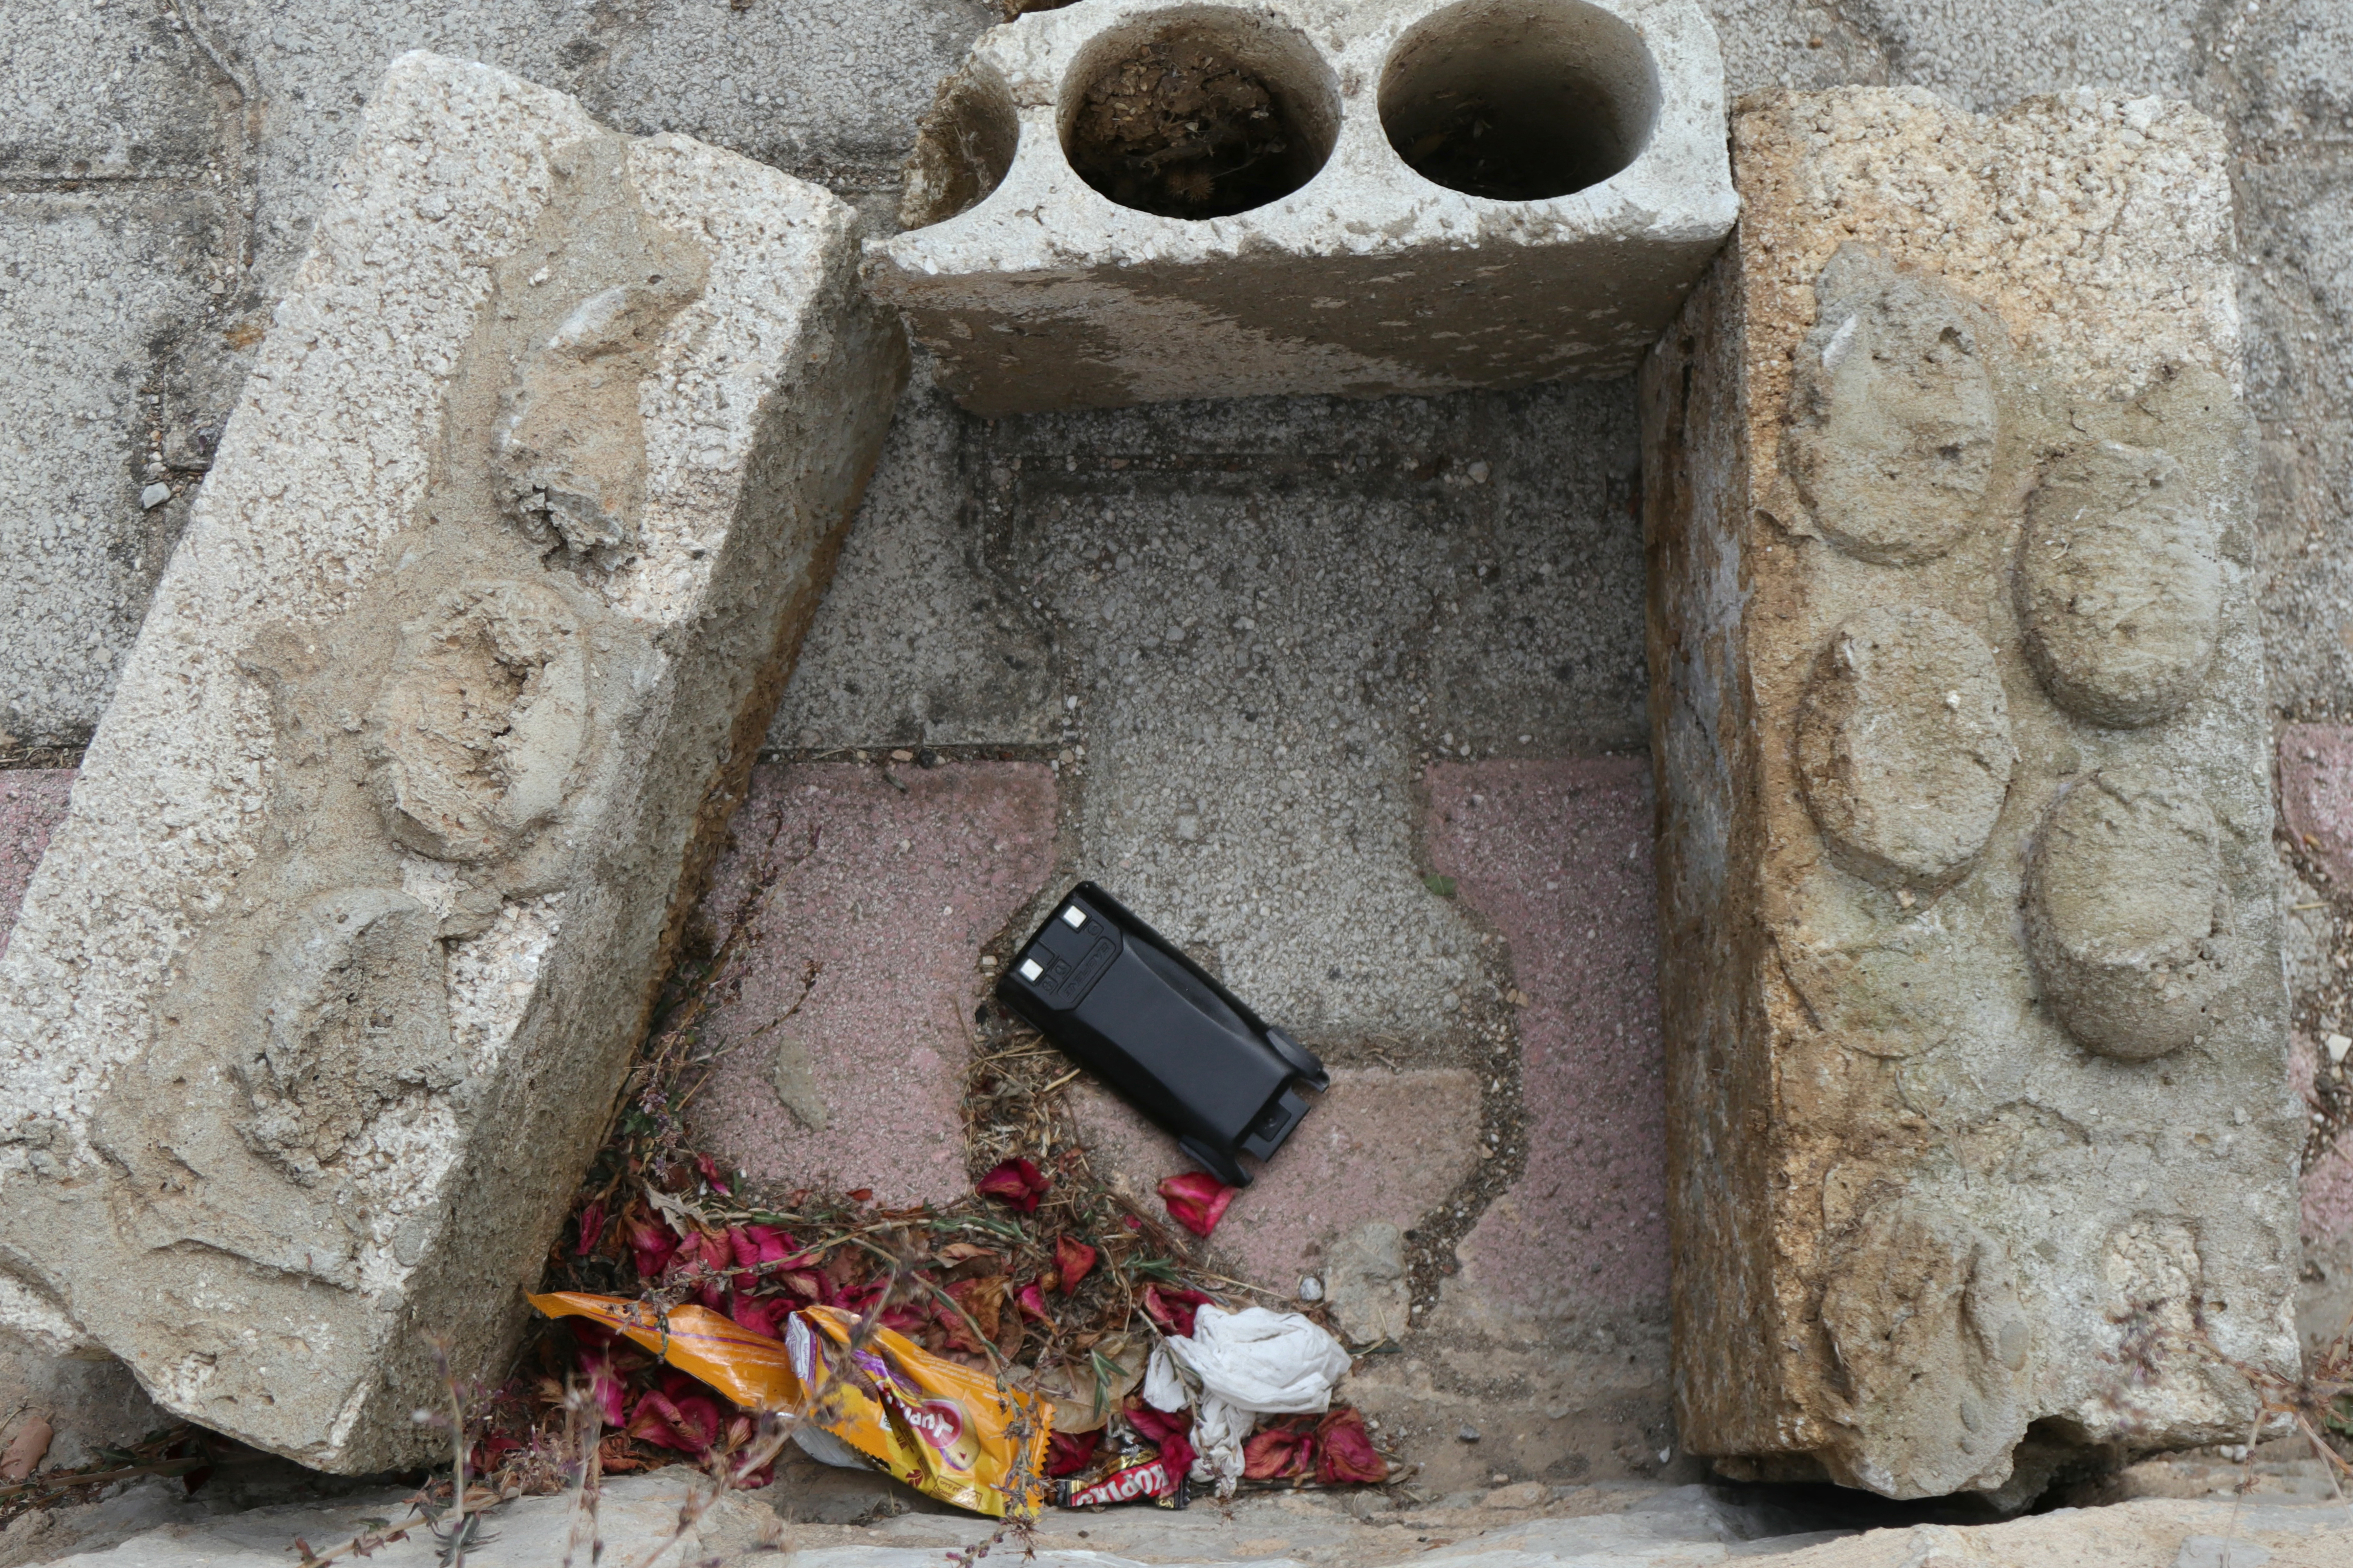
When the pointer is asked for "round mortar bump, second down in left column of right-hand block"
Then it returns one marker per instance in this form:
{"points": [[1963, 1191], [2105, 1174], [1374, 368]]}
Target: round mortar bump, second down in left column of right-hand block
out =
{"points": [[1905, 746]]}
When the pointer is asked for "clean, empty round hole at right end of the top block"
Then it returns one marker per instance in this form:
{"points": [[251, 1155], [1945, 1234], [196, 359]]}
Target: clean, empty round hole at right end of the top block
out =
{"points": [[1519, 100]]}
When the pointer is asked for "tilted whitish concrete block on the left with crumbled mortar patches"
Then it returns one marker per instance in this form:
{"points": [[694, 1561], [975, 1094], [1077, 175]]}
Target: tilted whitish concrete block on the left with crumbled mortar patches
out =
{"points": [[321, 996]]}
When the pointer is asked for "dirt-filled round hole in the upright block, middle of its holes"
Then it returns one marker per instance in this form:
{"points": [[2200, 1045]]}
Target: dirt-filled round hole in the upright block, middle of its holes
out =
{"points": [[1199, 114]]}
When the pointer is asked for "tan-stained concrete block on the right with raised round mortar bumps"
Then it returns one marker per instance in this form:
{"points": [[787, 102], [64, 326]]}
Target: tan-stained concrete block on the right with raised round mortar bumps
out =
{"points": [[1978, 1043]]}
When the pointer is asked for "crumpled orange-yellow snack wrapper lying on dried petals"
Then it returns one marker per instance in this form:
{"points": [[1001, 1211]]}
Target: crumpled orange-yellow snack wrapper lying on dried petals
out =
{"points": [[938, 1426]]}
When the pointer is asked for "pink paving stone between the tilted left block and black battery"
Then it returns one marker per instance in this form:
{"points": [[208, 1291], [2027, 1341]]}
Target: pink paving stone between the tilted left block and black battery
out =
{"points": [[867, 909]]}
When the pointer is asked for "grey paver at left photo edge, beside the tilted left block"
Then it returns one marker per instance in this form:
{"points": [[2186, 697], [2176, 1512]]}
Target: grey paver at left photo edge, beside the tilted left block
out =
{"points": [[91, 286]]}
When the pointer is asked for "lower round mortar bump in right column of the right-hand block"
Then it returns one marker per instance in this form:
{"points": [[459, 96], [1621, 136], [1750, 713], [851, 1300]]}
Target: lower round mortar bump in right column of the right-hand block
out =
{"points": [[2124, 916]]}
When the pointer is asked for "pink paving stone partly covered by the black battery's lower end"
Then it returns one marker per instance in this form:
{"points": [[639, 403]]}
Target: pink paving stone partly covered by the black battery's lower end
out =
{"points": [[1380, 1146]]}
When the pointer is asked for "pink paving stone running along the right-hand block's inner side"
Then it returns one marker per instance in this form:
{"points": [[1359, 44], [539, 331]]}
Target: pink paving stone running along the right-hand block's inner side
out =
{"points": [[1557, 857]]}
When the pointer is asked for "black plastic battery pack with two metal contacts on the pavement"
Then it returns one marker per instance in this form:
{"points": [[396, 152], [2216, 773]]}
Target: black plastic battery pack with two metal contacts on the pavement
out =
{"points": [[1121, 1000]]}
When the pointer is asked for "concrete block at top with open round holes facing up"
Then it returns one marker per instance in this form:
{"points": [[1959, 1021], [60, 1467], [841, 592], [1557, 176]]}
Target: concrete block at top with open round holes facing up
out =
{"points": [[1145, 201]]}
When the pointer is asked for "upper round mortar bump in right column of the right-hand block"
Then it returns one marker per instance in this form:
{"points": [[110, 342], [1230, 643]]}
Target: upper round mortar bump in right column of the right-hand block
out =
{"points": [[2119, 587]]}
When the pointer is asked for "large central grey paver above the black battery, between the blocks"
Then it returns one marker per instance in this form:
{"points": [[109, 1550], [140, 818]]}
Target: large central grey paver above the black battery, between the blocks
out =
{"points": [[1269, 622]]}
